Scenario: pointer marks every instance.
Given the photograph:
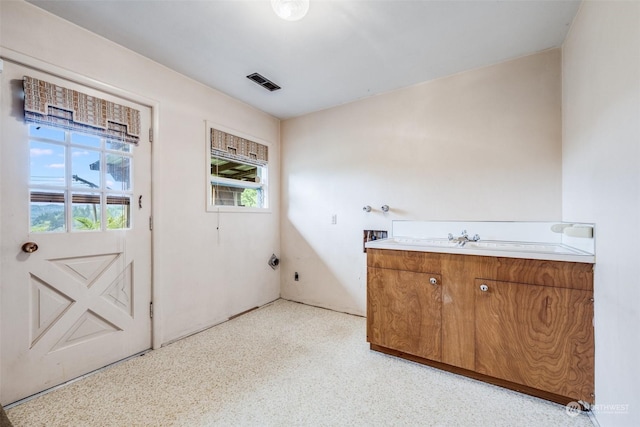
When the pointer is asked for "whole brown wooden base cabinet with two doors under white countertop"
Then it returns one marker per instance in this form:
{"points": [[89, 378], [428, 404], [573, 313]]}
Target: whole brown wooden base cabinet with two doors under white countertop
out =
{"points": [[520, 323]]}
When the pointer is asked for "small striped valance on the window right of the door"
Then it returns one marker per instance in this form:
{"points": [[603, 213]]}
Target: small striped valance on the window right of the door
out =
{"points": [[233, 147]]}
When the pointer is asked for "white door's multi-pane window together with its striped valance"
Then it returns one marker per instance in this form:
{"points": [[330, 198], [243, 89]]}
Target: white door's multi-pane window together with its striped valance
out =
{"points": [[81, 159]]}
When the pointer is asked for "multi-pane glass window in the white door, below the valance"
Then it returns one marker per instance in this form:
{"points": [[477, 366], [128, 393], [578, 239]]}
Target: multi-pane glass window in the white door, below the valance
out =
{"points": [[78, 182]]}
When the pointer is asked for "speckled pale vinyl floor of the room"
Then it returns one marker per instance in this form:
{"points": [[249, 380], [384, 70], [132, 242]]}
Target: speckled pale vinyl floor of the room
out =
{"points": [[285, 364]]}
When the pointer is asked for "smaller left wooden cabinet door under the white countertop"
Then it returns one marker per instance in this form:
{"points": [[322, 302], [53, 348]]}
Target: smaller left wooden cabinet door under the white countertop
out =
{"points": [[404, 311]]}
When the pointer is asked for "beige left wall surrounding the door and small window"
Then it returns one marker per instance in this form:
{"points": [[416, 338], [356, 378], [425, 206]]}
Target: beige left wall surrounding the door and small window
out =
{"points": [[201, 276]]}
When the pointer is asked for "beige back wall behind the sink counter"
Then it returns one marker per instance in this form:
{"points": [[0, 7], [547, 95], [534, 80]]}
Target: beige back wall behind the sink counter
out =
{"points": [[480, 145]]}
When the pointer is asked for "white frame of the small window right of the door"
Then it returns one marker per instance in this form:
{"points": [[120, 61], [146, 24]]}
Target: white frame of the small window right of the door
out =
{"points": [[209, 178]]}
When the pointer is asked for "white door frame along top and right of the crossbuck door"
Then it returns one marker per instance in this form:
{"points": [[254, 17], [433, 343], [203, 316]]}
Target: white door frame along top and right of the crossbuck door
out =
{"points": [[41, 66]]}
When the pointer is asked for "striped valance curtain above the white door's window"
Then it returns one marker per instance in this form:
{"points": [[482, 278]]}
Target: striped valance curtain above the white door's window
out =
{"points": [[50, 104]]}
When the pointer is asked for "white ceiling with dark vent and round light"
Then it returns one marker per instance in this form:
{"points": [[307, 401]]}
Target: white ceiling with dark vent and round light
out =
{"points": [[343, 50]]}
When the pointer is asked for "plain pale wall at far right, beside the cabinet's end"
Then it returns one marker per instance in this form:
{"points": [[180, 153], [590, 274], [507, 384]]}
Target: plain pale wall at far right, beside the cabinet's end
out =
{"points": [[601, 184]]}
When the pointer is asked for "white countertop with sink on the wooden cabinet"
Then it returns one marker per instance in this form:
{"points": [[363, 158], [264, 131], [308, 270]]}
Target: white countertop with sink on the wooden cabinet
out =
{"points": [[496, 248]]}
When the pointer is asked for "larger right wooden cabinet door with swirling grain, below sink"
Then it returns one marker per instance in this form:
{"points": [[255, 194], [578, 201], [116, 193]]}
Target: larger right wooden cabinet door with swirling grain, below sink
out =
{"points": [[539, 336]]}
